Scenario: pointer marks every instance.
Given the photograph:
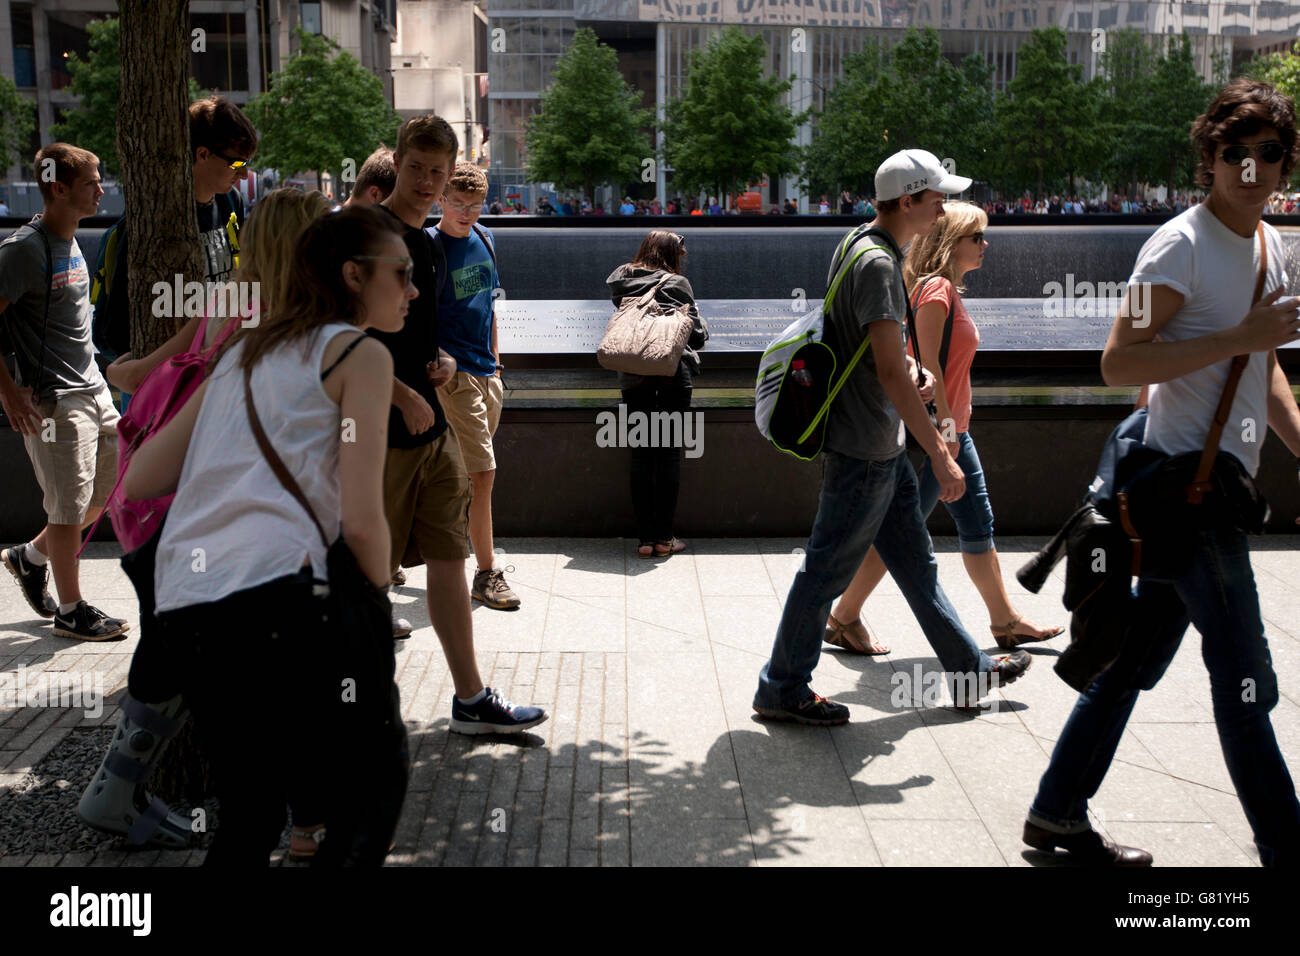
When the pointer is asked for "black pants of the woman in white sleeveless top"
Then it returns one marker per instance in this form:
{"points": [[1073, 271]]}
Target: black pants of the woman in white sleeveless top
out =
{"points": [[261, 703]]}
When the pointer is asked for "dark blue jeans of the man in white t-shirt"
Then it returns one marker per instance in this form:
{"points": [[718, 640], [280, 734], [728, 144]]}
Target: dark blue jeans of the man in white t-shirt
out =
{"points": [[1217, 595]]}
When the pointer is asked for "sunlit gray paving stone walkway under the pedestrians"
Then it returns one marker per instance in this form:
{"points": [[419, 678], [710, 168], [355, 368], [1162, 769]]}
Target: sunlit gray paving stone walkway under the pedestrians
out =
{"points": [[653, 755]]}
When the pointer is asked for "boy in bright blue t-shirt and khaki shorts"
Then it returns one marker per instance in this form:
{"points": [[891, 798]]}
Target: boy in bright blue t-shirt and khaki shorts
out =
{"points": [[467, 331]]}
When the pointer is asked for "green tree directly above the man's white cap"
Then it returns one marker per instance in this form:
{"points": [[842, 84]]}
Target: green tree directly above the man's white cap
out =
{"points": [[909, 97]]}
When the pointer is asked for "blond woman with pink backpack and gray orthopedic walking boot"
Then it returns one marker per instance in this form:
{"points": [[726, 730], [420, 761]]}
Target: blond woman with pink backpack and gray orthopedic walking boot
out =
{"points": [[153, 712]]}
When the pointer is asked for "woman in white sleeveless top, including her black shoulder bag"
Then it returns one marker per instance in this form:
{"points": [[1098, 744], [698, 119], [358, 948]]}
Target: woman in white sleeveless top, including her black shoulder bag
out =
{"points": [[279, 455]]}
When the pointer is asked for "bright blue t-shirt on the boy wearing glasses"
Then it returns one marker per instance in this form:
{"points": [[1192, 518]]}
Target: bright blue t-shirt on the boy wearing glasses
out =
{"points": [[466, 304]]}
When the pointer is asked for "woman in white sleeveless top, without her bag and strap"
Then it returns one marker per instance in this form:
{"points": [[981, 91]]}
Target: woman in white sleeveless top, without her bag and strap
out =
{"points": [[239, 555]]}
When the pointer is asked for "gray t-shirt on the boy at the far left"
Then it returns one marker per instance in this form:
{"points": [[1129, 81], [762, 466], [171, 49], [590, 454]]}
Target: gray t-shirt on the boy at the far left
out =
{"points": [[70, 357]]}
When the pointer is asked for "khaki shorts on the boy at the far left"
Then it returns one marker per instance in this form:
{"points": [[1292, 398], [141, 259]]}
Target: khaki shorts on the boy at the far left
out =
{"points": [[75, 455]]}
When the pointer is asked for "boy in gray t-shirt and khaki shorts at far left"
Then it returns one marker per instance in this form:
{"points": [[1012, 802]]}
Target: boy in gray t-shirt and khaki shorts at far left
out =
{"points": [[60, 404]]}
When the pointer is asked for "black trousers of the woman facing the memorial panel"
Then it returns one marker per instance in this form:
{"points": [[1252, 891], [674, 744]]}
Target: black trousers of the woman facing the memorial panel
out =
{"points": [[657, 471]]}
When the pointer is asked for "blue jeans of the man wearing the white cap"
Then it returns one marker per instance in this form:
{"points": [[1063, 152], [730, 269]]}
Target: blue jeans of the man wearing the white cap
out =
{"points": [[863, 504]]}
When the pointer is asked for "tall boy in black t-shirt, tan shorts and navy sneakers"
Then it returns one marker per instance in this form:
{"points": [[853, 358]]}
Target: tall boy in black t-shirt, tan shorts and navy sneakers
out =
{"points": [[426, 487]]}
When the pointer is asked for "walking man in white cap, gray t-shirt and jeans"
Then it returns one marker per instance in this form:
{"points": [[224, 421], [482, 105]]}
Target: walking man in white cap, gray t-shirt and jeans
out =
{"points": [[869, 488]]}
